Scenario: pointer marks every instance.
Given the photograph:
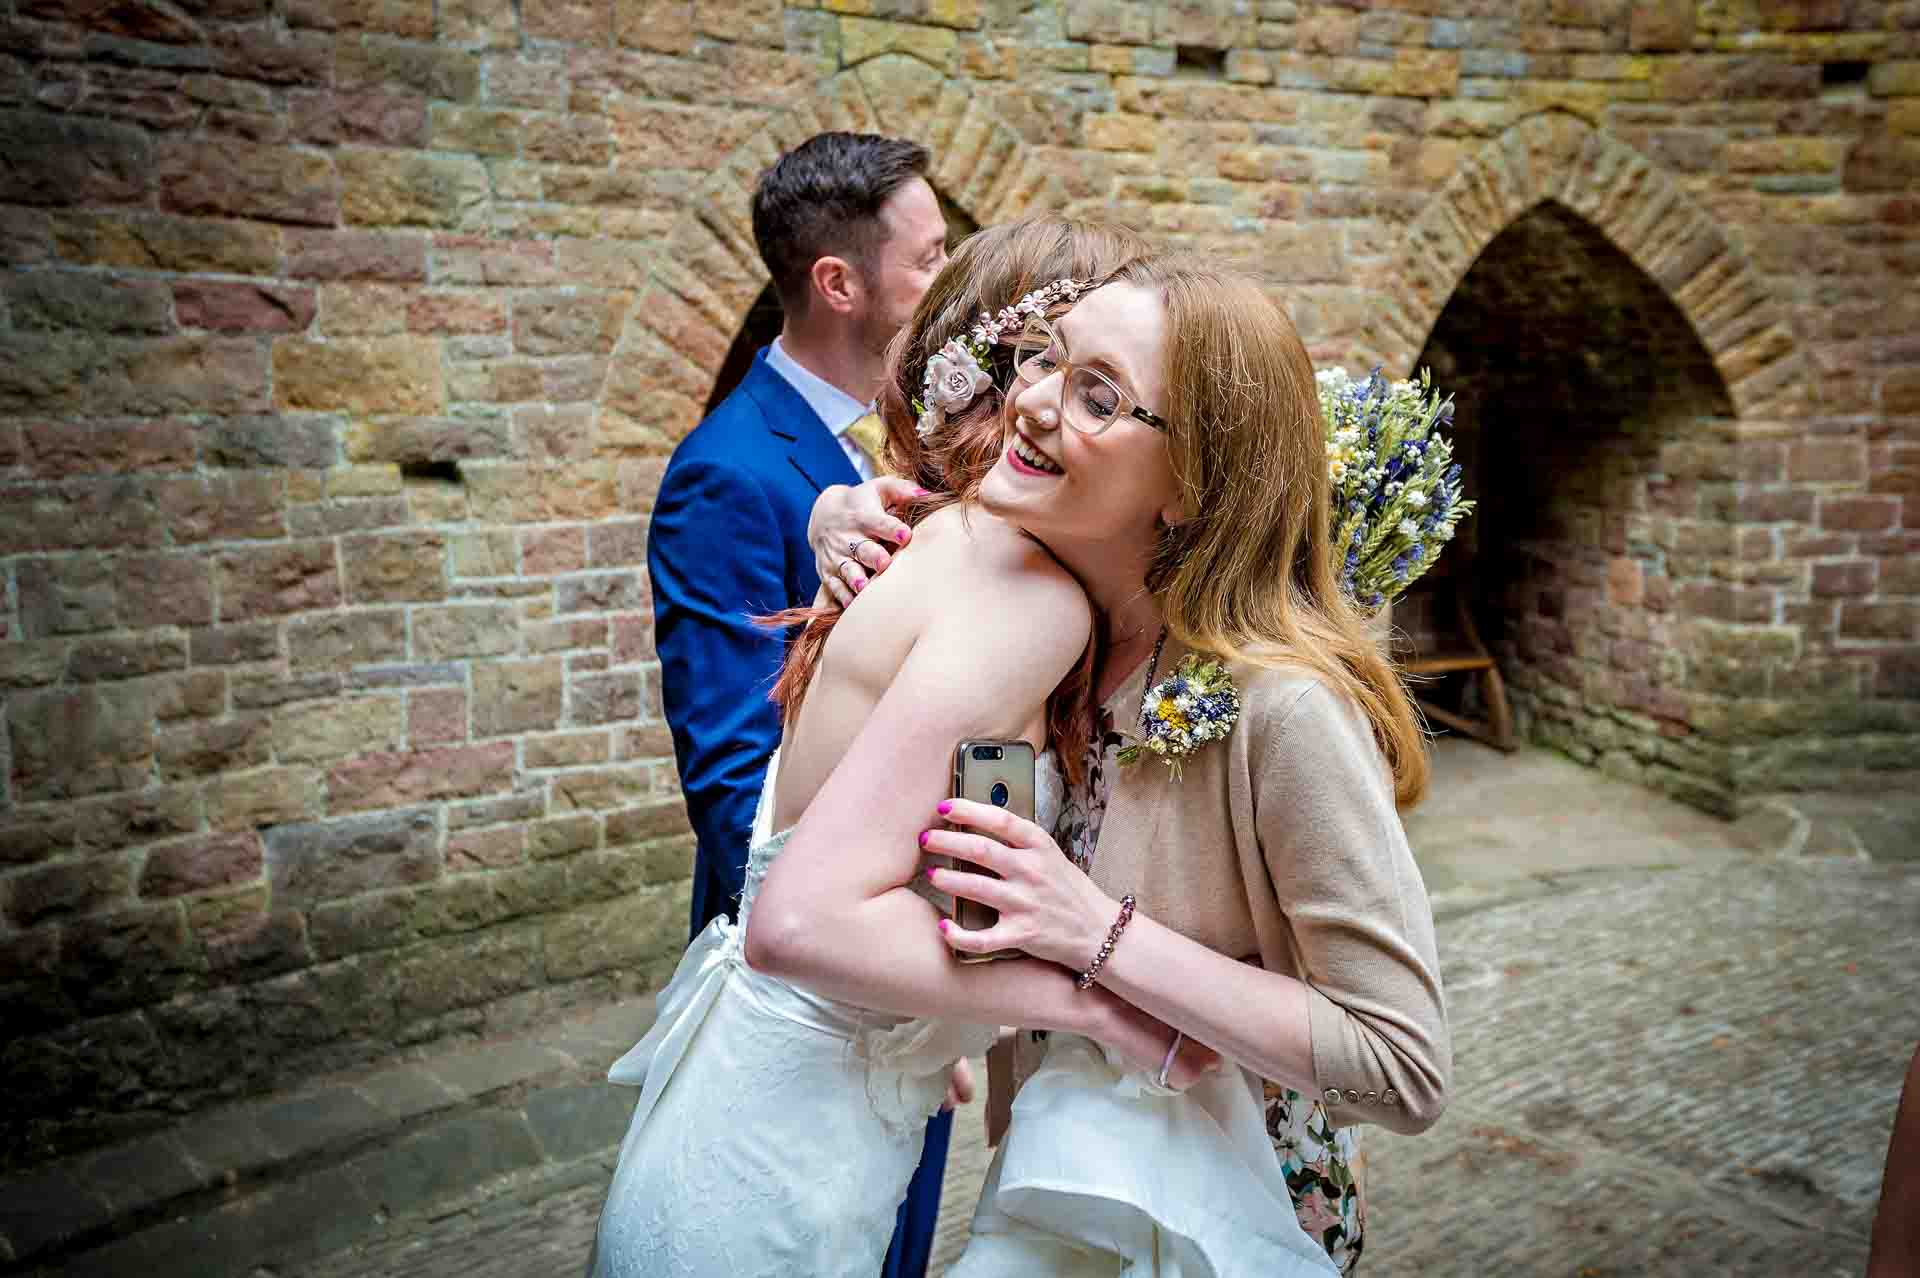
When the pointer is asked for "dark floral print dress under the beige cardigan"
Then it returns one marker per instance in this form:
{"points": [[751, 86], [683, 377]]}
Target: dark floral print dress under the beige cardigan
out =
{"points": [[1322, 1164]]}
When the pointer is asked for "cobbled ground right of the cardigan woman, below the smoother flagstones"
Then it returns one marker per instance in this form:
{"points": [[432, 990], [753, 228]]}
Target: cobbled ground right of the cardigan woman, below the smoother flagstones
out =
{"points": [[1666, 1074]]}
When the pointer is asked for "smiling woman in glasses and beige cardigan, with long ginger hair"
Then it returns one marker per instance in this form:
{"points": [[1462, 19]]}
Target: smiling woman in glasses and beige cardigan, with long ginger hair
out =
{"points": [[1264, 901]]}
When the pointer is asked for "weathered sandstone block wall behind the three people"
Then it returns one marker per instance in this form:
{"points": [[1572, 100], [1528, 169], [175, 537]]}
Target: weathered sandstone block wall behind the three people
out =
{"points": [[343, 343]]}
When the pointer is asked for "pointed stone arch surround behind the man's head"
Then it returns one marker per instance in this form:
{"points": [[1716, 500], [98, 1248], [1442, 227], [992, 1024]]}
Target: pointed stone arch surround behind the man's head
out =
{"points": [[708, 272]]}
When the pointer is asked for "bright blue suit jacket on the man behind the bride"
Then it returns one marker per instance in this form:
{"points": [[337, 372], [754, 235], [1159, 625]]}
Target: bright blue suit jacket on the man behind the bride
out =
{"points": [[729, 542]]}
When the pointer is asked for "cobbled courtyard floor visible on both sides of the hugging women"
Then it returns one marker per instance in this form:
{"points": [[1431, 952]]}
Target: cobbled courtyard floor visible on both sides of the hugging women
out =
{"points": [[1671, 1058]]}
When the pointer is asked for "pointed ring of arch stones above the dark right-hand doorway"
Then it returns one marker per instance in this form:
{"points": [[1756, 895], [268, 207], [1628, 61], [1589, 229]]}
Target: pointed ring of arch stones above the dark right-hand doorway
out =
{"points": [[1641, 210]]}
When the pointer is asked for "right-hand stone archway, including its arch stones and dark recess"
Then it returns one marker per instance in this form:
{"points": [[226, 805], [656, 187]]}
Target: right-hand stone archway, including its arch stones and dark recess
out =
{"points": [[1612, 577]]}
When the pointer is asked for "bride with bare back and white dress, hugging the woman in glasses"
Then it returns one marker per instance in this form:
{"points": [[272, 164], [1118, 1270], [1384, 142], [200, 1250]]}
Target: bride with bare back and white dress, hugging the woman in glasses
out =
{"points": [[796, 1058]]}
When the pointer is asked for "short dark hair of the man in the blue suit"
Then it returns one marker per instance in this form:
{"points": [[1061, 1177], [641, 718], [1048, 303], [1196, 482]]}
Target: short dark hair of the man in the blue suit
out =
{"points": [[823, 201]]}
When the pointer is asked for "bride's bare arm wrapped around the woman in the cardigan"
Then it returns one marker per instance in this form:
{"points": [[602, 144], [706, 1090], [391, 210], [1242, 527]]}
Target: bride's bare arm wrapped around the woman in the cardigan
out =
{"points": [[834, 912]]}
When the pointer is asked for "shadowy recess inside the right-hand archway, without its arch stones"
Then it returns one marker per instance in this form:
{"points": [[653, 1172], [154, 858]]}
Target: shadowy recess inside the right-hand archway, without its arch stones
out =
{"points": [[1581, 394]]}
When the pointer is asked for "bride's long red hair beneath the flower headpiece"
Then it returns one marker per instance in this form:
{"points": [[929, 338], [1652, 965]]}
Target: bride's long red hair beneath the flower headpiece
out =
{"points": [[990, 272]]}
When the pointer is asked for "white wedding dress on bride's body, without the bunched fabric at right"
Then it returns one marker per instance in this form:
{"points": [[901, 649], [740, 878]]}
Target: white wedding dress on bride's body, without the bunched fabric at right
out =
{"points": [[775, 1131]]}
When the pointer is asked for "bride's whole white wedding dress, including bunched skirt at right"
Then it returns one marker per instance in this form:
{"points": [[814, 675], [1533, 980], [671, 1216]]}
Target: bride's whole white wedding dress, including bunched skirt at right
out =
{"points": [[777, 1133]]}
